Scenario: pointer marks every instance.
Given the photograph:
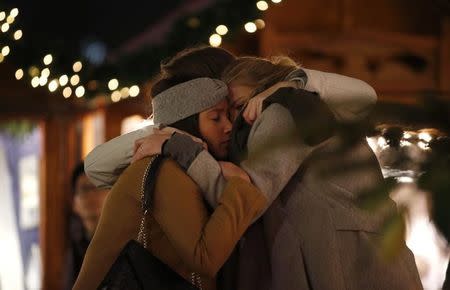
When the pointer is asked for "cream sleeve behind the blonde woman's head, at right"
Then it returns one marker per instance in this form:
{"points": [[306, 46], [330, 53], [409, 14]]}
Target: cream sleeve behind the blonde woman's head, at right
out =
{"points": [[348, 98]]}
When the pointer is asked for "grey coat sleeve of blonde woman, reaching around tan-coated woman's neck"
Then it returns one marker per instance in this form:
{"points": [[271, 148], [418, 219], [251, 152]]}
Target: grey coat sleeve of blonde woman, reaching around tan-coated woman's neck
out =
{"points": [[274, 155]]}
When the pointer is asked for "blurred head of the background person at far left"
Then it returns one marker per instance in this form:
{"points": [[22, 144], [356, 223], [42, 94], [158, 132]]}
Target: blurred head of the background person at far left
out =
{"points": [[87, 200]]}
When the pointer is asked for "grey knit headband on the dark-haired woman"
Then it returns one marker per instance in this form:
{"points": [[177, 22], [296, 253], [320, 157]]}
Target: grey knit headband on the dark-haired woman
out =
{"points": [[187, 99]]}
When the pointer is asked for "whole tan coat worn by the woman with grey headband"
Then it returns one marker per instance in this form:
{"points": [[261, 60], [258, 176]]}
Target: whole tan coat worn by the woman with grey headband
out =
{"points": [[202, 241]]}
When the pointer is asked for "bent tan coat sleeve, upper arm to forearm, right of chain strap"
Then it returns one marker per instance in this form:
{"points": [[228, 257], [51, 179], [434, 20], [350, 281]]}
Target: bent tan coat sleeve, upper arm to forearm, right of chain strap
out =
{"points": [[204, 242]]}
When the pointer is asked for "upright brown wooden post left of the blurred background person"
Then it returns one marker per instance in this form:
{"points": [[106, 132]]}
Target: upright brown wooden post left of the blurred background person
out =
{"points": [[58, 162]]}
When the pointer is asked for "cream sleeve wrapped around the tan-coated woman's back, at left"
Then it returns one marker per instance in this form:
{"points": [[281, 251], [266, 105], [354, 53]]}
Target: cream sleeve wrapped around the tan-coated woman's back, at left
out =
{"points": [[105, 163]]}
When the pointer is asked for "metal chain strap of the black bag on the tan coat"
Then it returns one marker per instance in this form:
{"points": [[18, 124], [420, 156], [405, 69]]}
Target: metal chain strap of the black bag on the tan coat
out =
{"points": [[196, 280]]}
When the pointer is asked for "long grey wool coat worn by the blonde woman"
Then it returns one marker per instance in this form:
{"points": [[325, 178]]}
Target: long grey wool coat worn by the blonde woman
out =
{"points": [[313, 235]]}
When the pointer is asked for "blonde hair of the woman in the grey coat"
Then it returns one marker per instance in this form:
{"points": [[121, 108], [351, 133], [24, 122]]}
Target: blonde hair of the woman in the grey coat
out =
{"points": [[259, 73]]}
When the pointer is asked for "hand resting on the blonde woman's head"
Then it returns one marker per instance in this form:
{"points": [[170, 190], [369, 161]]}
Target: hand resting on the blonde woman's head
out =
{"points": [[254, 105]]}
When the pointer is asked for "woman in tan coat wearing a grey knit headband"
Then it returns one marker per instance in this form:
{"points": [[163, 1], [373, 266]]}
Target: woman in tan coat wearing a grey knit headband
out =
{"points": [[182, 233]]}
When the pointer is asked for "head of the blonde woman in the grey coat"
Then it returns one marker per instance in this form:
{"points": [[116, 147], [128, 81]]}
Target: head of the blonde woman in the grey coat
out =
{"points": [[248, 76]]}
